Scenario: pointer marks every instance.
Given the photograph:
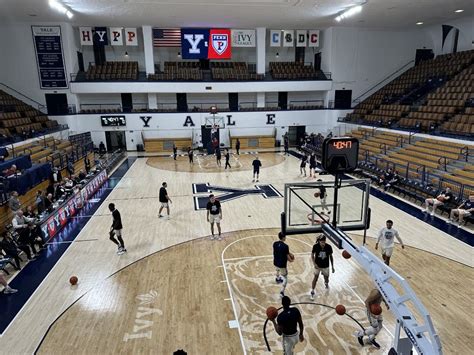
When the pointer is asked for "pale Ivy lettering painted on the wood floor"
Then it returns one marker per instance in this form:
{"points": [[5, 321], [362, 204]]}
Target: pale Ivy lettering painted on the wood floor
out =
{"points": [[144, 317]]}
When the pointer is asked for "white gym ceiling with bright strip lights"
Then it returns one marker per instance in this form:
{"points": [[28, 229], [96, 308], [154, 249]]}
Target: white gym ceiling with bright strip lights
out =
{"points": [[275, 14]]}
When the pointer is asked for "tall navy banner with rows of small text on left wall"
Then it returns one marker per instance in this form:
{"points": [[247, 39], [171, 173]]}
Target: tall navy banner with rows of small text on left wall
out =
{"points": [[49, 57]]}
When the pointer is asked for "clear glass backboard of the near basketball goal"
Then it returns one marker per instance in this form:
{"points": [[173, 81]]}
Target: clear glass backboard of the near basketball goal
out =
{"points": [[305, 211]]}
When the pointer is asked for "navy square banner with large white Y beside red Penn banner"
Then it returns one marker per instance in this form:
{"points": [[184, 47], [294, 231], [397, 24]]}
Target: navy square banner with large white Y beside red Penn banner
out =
{"points": [[194, 43]]}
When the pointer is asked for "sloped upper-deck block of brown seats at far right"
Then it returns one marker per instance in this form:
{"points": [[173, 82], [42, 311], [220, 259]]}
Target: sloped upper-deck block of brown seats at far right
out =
{"points": [[444, 103]]}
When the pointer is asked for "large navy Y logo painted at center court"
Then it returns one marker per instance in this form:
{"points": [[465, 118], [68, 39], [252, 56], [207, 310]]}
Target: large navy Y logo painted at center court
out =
{"points": [[229, 193]]}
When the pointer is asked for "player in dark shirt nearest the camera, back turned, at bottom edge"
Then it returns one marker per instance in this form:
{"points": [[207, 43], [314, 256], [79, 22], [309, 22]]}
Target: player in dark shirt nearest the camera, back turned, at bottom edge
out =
{"points": [[286, 326]]}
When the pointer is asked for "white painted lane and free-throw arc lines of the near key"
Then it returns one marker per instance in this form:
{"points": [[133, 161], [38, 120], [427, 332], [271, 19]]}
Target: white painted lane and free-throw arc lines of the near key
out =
{"points": [[265, 256]]}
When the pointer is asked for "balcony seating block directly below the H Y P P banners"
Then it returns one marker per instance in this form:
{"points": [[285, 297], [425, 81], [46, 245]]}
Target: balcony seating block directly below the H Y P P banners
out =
{"points": [[113, 71]]}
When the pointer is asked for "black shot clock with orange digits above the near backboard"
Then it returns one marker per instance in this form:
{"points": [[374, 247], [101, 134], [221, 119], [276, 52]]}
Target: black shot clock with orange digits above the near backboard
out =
{"points": [[340, 154]]}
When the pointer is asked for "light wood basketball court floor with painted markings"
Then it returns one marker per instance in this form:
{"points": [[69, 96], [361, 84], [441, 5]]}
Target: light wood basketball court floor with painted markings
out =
{"points": [[175, 288]]}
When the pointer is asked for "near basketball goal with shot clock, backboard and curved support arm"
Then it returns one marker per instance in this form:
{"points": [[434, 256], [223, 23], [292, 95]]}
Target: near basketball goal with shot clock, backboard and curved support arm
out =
{"points": [[339, 156]]}
